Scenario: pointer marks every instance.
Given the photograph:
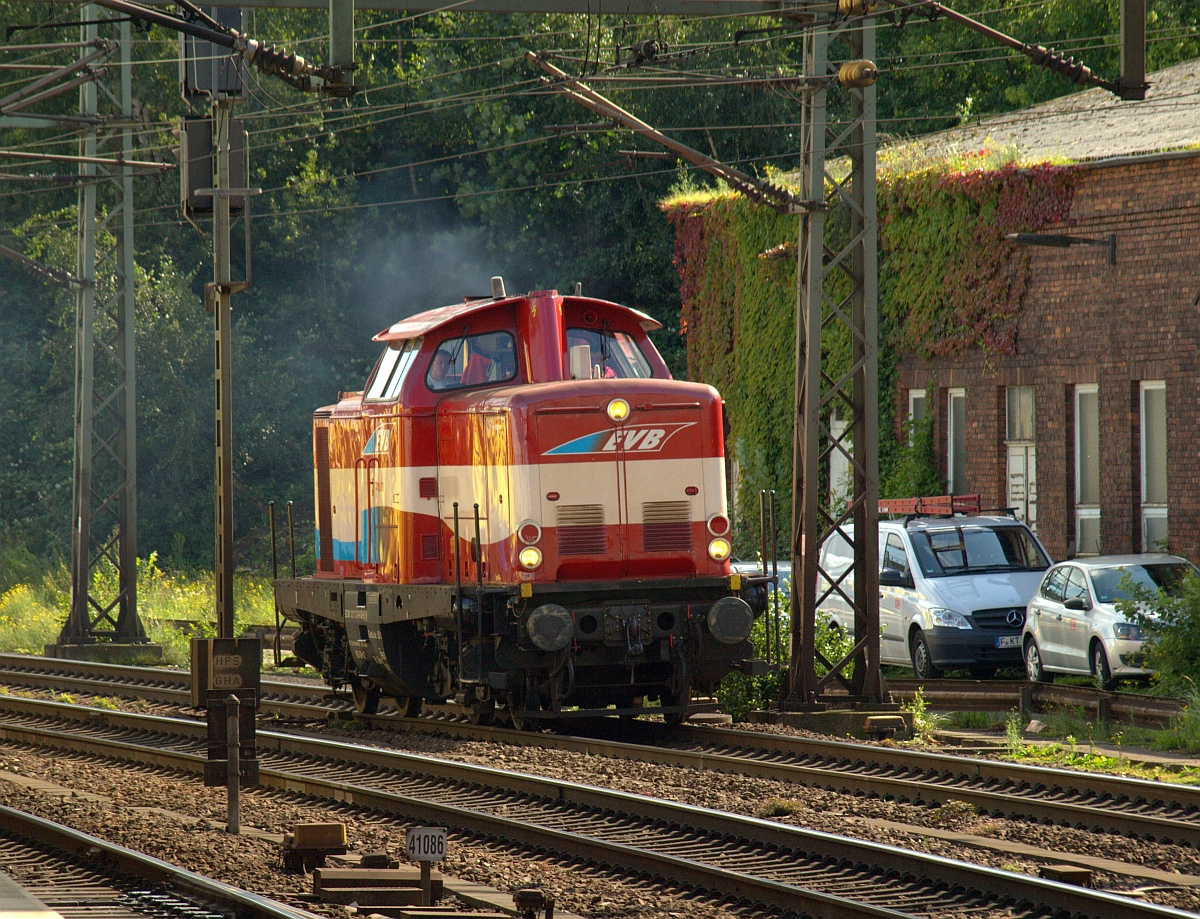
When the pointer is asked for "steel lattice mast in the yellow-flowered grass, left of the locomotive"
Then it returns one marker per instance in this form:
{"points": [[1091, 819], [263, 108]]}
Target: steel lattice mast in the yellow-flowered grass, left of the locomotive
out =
{"points": [[104, 532]]}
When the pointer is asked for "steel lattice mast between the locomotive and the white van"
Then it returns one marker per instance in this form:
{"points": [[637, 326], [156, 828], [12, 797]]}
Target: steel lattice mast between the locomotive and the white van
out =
{"points": [[837, 291]]}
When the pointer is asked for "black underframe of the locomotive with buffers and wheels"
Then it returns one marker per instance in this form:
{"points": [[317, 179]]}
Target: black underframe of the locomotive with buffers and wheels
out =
{"points": [[619, 642]]}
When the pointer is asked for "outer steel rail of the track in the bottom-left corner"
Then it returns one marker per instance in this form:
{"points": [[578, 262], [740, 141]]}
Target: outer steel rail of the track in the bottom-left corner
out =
{"points": [[106, 860]]}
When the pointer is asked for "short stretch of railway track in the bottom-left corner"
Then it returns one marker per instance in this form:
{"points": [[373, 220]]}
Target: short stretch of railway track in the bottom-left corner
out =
{"points": [[85, 878]]}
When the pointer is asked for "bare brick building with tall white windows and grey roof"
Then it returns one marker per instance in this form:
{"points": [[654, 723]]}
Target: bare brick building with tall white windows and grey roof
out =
{"points": [[1093, 429]]}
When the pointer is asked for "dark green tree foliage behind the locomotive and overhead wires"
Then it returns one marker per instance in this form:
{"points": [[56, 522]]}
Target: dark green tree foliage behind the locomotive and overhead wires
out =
{"points": [[439, 175]]}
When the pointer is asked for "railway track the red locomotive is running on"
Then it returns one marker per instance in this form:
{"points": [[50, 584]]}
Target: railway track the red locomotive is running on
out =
{"points": [[1161, 812]]}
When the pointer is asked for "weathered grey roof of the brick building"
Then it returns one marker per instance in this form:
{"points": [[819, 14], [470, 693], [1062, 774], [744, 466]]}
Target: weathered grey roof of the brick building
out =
{"points": [[1090, 125]]}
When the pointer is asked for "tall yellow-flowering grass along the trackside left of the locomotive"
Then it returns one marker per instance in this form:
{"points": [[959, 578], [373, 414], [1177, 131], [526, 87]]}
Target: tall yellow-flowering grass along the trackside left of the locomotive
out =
{"points": [[33, 615]]}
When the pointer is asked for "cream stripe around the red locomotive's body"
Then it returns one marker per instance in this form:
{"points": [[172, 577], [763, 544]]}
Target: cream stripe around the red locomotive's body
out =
{"points": [[511, 495]]}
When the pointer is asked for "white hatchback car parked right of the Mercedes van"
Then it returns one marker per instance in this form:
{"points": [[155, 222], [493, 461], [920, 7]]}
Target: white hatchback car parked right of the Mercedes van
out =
{"points": [[1073, 624]]}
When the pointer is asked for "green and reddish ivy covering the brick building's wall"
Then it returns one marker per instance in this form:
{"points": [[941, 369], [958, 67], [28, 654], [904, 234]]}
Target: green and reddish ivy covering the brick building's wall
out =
{"points": [[950, 280]]}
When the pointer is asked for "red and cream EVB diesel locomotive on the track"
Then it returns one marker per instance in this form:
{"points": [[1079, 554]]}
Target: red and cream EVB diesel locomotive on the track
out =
{"points": [[523, 512]]}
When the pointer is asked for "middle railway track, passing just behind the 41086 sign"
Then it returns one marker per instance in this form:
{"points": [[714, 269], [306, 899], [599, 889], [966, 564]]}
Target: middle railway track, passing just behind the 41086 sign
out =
{"points": [[755, 863]]}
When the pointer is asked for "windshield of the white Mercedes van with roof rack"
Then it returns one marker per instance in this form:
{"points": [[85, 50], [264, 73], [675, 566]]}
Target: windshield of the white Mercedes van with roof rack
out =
{"points": [[952, 551]]}
